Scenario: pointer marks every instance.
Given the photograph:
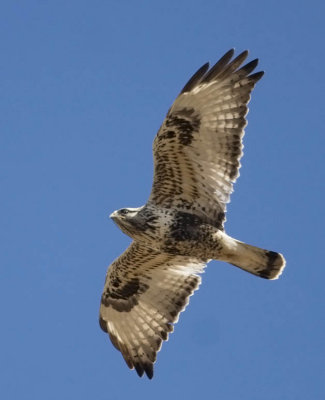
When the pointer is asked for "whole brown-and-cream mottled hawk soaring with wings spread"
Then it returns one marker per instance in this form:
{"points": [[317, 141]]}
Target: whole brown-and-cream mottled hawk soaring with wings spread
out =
{"points": [[197, 153]]}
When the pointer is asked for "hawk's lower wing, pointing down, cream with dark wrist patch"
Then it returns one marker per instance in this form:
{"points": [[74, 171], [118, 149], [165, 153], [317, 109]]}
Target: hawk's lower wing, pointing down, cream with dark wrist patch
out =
{"points": [[143, 295]]}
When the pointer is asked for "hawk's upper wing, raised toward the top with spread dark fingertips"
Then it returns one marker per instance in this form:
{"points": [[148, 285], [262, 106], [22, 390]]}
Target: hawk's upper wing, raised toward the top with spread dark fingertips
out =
{"points": [[198, 148]]}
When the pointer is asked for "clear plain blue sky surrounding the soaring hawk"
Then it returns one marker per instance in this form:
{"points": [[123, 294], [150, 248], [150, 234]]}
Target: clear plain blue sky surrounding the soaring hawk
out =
{"points": [[84, 86]]}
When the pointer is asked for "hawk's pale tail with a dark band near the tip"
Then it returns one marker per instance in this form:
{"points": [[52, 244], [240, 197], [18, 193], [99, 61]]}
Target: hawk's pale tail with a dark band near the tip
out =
{"points": [[264, 263]]}
